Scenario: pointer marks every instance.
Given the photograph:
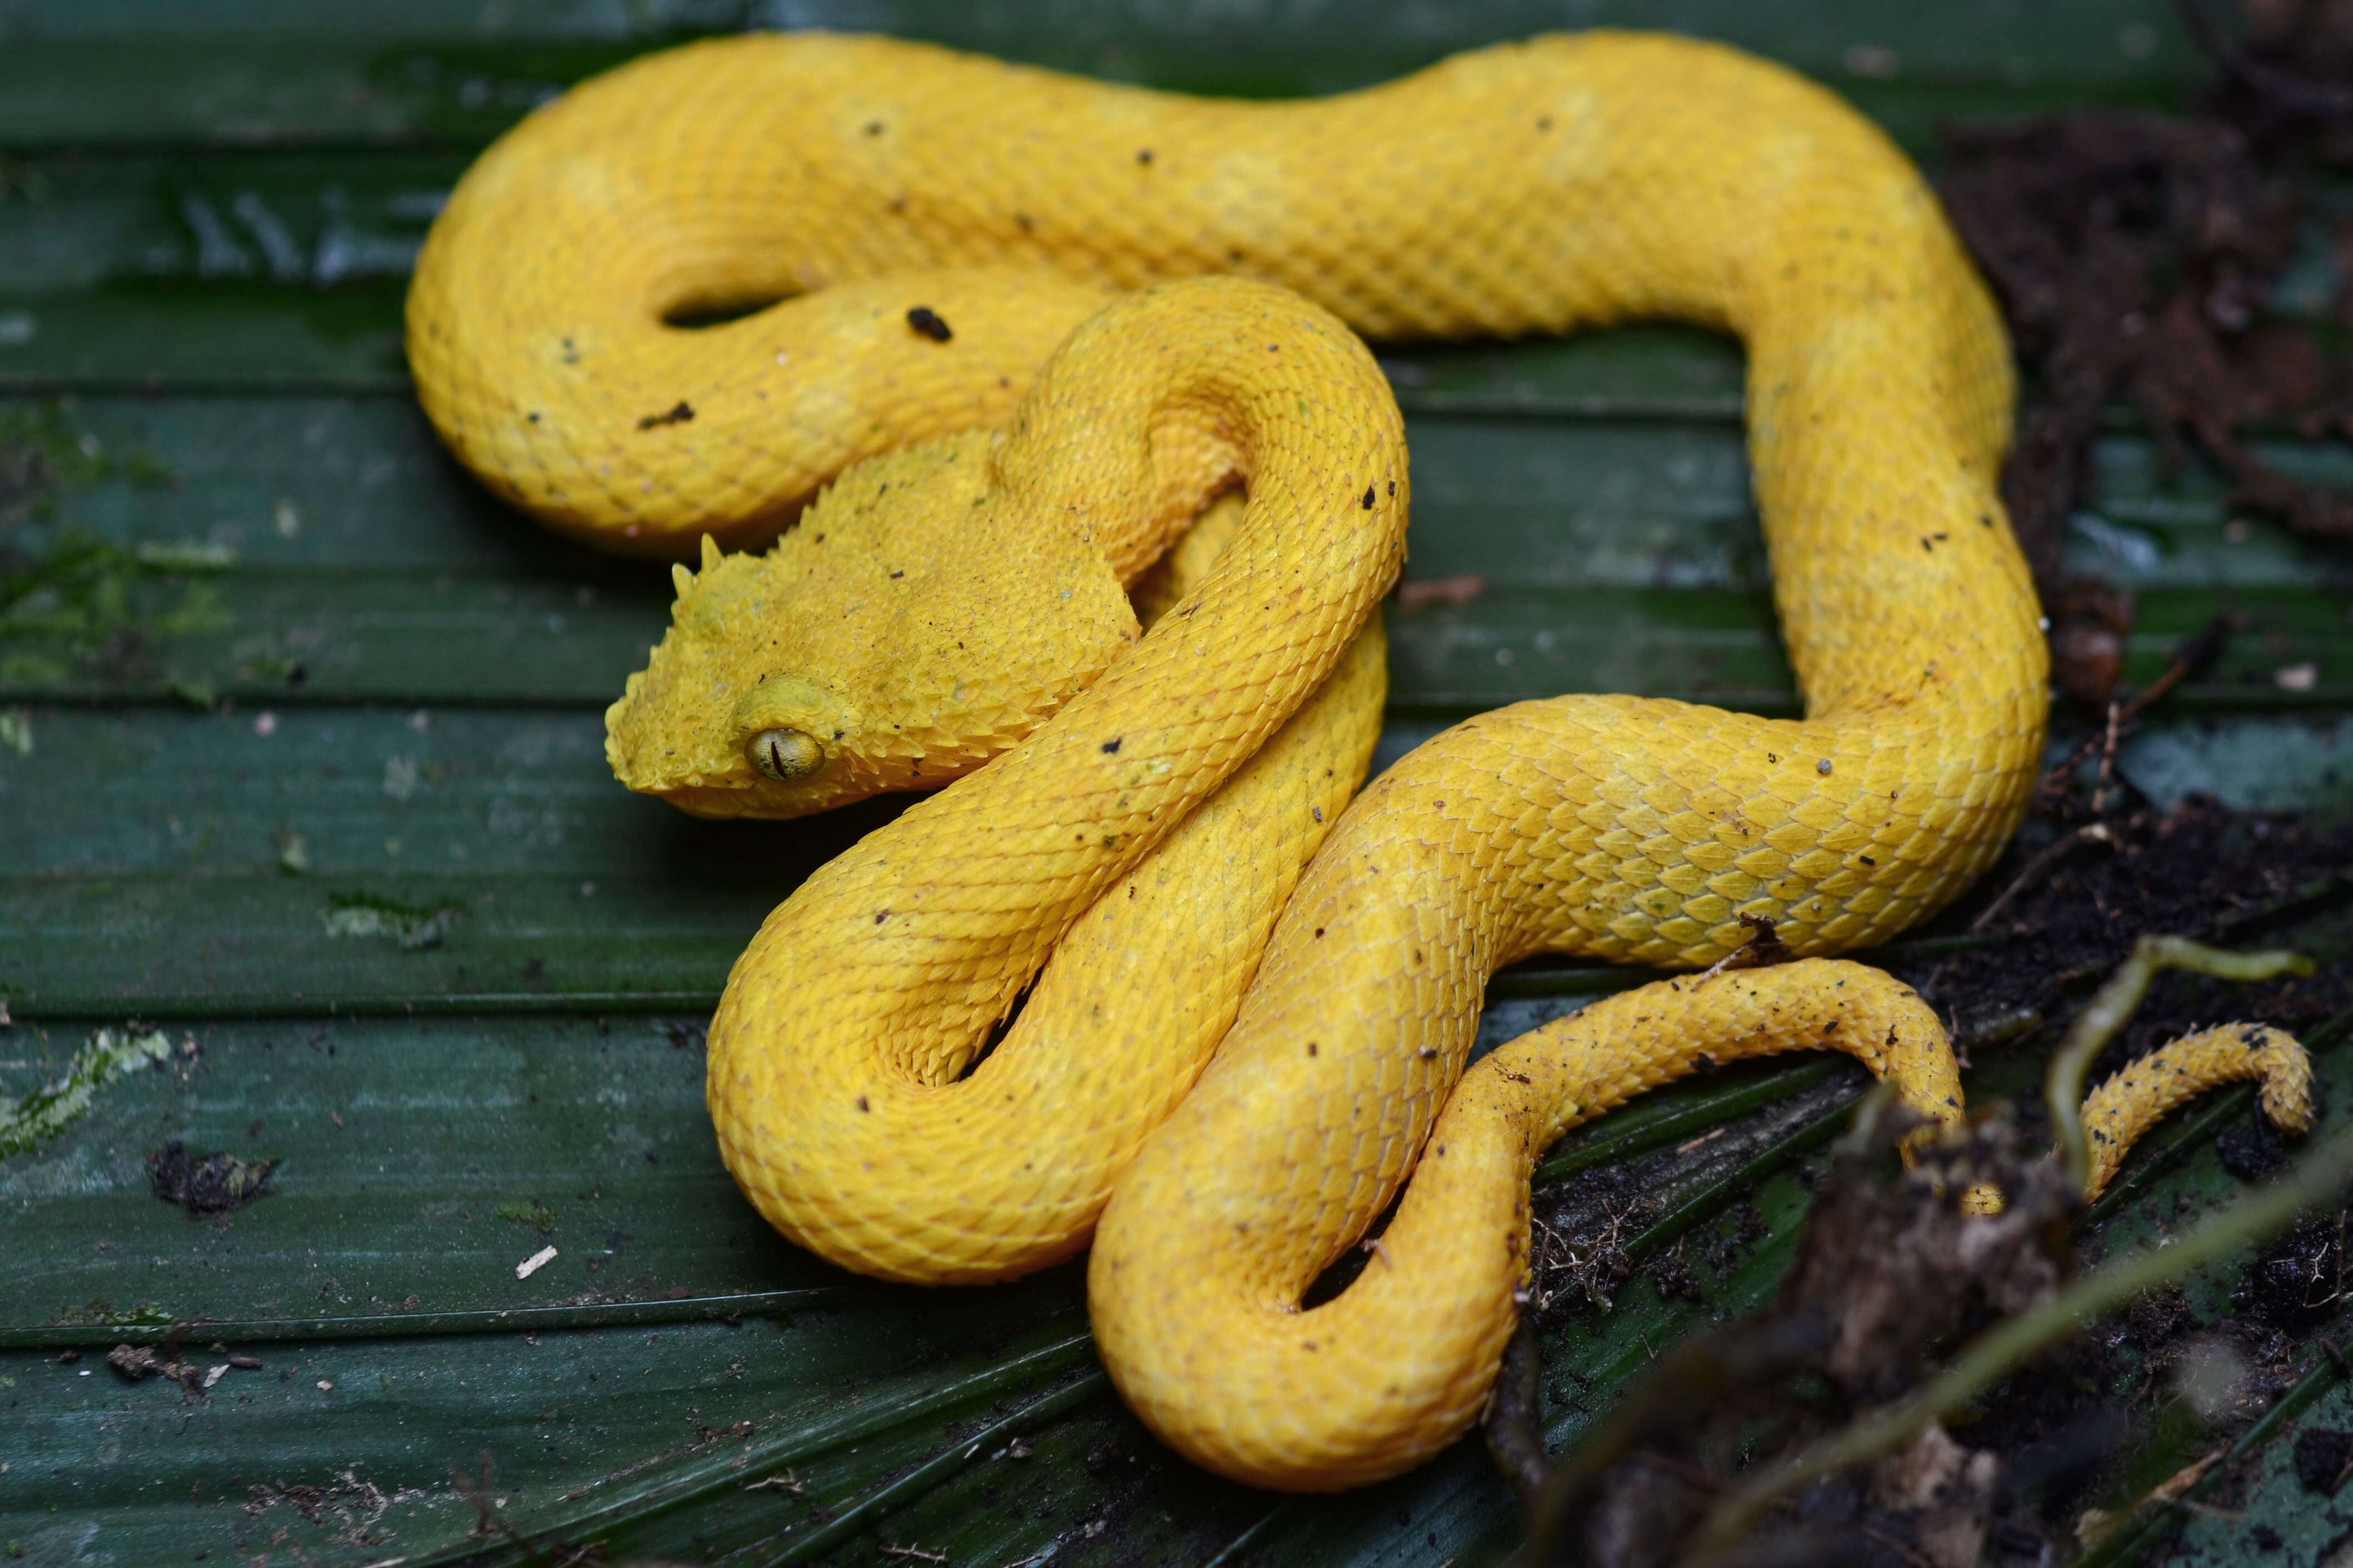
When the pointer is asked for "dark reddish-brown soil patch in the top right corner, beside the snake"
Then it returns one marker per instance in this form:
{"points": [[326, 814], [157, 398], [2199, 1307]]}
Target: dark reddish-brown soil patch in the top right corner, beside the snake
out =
{"points": [[2133, 255]]}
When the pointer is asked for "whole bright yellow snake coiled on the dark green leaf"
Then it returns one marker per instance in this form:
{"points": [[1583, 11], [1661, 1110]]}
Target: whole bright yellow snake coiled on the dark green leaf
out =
{"points": [[938, 227]]}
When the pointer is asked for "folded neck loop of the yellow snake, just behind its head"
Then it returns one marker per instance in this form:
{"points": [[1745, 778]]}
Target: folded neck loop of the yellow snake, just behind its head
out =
{"points": [[841, 1050]]}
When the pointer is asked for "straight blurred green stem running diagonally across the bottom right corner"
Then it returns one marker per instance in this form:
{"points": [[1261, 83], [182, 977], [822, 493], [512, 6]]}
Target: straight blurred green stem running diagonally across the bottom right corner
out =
{"points": [[2013, 1341]]}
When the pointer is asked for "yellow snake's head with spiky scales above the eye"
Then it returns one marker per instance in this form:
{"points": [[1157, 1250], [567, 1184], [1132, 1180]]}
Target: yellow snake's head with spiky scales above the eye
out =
{"points": [[902, 634]]}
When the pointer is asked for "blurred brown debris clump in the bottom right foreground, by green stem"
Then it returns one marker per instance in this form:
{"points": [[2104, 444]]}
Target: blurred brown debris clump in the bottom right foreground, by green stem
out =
{"points": [[1888, 1275]]}
